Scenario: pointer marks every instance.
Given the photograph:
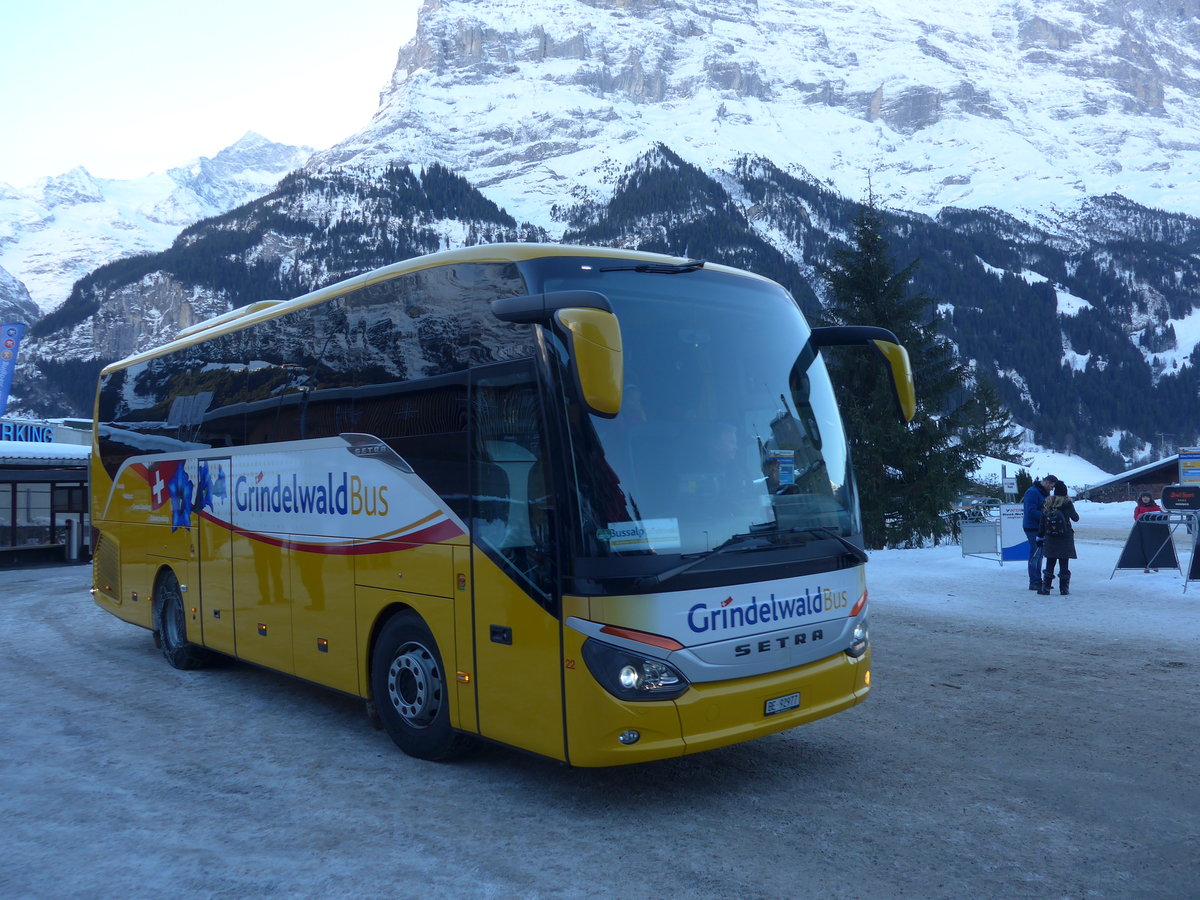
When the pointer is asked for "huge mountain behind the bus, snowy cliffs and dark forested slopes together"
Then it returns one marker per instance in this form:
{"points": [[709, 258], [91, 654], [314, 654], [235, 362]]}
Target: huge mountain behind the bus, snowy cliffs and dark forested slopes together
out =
{"points": [[1022, 149]]}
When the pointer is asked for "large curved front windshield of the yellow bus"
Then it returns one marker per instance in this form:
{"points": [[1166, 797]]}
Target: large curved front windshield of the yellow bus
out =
{"points": [[729, 436]]}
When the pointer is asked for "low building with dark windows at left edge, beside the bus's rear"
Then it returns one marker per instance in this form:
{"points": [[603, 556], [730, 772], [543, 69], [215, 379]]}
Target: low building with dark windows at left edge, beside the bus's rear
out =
{"points": [[44, 491]]}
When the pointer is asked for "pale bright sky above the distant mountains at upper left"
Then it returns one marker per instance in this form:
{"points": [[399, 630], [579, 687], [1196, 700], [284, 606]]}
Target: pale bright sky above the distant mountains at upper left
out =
{"points": [[127, 88]]}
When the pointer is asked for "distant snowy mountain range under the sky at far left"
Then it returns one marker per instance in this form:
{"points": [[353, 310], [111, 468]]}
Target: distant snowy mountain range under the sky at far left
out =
{"points": [[58, 230]]}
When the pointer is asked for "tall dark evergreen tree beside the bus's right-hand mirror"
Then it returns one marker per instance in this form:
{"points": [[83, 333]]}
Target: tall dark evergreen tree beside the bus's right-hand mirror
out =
{"points": [[908, 475]]}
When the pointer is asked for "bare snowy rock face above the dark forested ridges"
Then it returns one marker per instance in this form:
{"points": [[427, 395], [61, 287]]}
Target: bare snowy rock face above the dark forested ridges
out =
{"points": [[1021, 105]]}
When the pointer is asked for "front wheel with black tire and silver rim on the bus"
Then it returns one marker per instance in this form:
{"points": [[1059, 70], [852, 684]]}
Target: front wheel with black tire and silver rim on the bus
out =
{"points": [[411, 691]]}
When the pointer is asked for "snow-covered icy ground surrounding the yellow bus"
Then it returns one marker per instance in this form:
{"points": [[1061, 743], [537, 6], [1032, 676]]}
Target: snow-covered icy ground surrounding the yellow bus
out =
{"points": [[1015, 746]]}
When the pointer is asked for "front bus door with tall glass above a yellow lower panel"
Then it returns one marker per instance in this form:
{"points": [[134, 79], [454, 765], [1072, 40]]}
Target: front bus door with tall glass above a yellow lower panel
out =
{"points": [[519, 685]]}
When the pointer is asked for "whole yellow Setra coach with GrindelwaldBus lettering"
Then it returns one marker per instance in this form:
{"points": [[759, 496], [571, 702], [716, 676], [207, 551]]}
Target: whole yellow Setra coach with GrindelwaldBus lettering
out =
{"points": [[590, 503]]}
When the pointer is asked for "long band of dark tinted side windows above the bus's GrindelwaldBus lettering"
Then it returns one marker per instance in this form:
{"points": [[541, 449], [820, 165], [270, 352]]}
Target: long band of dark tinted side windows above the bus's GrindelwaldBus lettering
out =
{"points": [[376, 361]]}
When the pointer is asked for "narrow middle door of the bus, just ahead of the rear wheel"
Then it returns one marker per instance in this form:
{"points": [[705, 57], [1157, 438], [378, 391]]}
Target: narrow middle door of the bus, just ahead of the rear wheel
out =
{"points": [[215, 556]]}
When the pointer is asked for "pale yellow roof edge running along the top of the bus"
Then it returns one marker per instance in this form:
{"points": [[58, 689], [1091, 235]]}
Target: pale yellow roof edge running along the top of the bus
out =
{"points": [[262, 310]]}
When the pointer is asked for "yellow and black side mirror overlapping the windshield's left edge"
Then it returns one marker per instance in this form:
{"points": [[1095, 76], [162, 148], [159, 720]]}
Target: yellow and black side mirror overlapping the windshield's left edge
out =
{"points": [[592, 332]]}
